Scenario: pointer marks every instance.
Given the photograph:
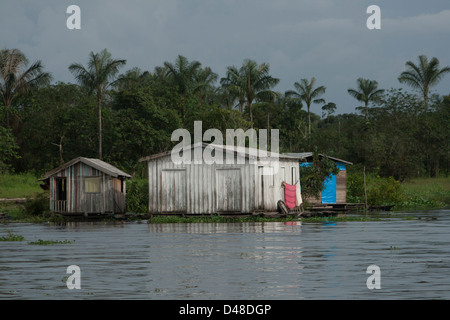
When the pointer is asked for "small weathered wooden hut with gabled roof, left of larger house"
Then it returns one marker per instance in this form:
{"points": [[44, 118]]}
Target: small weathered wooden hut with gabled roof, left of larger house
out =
{"points": [[86, 186]]}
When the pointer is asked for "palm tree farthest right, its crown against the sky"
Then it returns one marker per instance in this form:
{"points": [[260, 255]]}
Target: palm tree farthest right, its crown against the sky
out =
{"points": [[423, 75]]}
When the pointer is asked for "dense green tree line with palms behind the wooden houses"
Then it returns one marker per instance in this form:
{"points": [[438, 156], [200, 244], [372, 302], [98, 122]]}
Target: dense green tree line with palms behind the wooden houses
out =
{"points": [[121, 115]]}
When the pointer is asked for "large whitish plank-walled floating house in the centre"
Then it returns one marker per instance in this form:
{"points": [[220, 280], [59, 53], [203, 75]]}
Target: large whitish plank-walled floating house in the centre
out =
{"points": [[251, 183]]}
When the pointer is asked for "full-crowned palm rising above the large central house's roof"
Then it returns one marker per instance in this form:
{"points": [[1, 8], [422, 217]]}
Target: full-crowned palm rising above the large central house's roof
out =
{"points": [[250, 82]]}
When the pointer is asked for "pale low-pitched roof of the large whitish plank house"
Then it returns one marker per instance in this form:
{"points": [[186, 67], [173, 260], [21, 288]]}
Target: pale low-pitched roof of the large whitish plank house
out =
{"points": [[241, 151]]}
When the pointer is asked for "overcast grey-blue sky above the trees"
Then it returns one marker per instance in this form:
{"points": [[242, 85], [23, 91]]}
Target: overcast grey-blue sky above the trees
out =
{"points": [[298, 38]]}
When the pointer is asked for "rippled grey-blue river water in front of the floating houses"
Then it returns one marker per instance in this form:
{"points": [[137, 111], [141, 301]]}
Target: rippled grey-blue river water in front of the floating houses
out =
{"points": [[270, 261]]}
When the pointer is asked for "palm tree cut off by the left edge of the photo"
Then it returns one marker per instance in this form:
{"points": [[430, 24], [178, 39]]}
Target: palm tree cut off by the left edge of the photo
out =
{"points": [[16, 78]]}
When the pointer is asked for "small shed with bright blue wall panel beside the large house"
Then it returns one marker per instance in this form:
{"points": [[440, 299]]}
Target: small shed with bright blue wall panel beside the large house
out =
{"points": [[335, 186]]}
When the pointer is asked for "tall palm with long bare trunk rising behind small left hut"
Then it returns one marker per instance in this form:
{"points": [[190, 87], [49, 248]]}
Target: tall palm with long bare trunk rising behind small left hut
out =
{"points": [[98, 76]]}
